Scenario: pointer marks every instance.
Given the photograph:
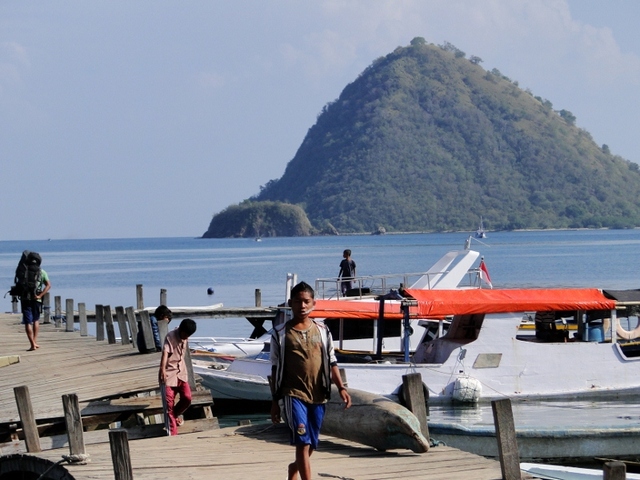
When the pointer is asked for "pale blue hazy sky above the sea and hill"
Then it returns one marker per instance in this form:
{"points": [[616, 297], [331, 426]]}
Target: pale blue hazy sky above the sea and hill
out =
{"points": [[144, 118]]}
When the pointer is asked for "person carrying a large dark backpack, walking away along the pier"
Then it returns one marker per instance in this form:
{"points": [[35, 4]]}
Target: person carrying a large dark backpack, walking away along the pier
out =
{"points": [[32, 283]]}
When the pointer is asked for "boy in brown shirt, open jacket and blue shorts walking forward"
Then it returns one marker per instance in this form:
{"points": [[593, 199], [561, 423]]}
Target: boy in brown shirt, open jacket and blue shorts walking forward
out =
{"points": [[303, 365]]}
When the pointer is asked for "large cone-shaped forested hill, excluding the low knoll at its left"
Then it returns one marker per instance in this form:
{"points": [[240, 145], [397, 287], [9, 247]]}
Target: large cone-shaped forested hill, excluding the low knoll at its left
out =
{"points": [[425, 139]]}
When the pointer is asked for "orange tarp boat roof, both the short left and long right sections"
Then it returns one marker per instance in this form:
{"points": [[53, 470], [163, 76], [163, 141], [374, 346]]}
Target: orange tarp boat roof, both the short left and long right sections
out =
{"points": [[441, 303]]}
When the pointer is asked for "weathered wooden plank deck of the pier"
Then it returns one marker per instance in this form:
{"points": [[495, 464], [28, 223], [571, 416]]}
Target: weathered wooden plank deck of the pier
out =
{"points": [[68, 363]]}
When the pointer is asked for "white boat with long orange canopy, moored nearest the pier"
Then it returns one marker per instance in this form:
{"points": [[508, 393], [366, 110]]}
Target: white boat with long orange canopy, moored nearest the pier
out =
{"points": [[484, 355]]}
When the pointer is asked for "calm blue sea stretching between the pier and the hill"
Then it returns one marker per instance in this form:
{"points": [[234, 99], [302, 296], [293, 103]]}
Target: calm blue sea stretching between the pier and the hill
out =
{"points": [[106, 271]]}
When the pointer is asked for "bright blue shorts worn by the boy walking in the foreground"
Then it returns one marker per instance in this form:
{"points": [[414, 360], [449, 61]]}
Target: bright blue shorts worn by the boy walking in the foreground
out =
{"points": [[304, 421]]}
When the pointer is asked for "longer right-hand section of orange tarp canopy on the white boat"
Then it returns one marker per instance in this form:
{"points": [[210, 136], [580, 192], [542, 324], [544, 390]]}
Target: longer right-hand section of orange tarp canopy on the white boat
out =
{"points": [[461, 302]]}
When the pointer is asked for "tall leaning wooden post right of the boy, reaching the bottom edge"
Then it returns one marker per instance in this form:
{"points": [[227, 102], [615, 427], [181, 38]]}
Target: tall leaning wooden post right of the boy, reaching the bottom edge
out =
{"points": [[506, 437]]}
